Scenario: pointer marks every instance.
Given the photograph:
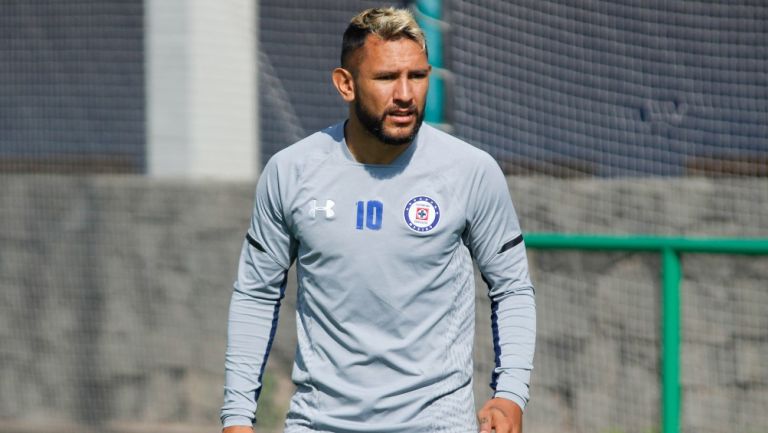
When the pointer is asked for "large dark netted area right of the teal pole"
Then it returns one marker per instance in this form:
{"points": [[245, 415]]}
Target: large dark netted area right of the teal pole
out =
{"points": [[613, 88]]}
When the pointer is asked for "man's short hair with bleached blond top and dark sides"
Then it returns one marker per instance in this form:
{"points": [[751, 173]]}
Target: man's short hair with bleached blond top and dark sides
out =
{"points": [[387, 23]]}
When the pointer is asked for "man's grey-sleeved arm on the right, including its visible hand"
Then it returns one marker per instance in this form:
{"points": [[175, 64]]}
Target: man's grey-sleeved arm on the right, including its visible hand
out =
{"points": [[496, 242]]}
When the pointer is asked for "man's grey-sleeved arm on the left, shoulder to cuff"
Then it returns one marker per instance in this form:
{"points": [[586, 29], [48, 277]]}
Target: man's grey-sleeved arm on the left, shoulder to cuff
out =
{"points": [[267, 252]]}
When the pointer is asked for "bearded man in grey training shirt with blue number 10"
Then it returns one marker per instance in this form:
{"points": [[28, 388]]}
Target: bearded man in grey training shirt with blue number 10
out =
{"points": [[383, 216]]}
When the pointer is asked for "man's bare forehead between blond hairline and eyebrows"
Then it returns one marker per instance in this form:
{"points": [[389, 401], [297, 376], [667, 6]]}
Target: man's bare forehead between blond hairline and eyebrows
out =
{"points": [[395, 54]]}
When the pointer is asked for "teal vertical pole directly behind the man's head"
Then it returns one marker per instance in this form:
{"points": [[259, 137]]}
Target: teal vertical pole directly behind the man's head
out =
{"points": [[429, 14]]}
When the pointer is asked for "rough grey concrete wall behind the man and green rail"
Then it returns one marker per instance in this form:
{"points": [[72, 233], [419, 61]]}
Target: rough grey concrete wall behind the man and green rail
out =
{"points": [[114, 292]]}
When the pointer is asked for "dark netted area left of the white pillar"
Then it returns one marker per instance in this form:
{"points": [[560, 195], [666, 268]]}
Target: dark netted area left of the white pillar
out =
{"points": [[72, 86]]}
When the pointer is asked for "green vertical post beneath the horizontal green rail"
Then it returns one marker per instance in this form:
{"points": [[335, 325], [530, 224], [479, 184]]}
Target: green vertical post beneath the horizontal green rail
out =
{"points": [[670, 370]]}
